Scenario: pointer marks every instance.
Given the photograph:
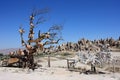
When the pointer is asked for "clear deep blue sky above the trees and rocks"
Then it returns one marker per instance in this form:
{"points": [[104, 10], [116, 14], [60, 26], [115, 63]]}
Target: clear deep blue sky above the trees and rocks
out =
{"points": [[91, 19]]}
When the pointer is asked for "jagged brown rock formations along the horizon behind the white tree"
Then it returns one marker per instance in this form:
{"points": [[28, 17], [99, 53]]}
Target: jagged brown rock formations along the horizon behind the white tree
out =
{"points": [[88, 45]]}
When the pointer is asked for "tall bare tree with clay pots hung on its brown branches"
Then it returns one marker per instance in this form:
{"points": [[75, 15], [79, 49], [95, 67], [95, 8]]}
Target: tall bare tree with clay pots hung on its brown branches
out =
{"points": [[49, 35]]}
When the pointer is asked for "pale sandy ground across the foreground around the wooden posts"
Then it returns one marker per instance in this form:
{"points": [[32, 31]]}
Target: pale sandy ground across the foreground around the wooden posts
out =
{"points": [[57, 71]]}
